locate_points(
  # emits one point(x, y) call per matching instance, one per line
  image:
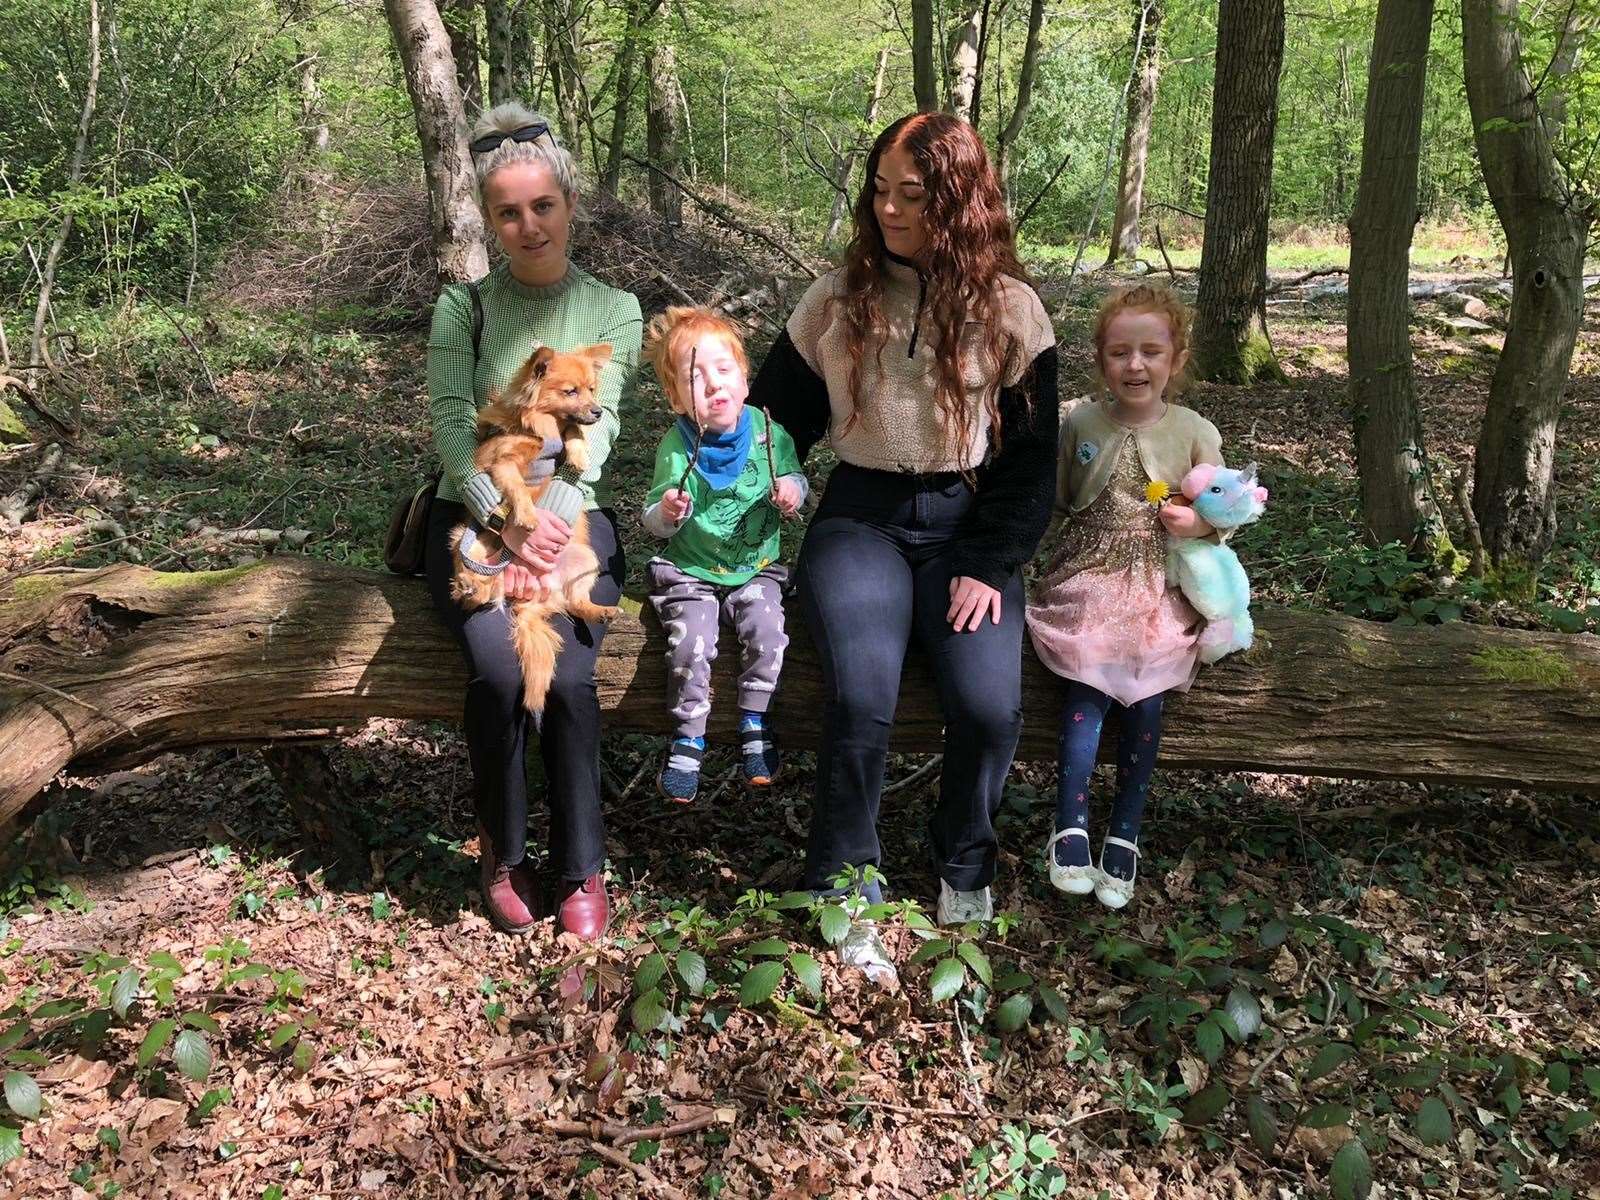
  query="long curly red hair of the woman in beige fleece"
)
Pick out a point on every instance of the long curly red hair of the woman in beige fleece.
point(969, 247)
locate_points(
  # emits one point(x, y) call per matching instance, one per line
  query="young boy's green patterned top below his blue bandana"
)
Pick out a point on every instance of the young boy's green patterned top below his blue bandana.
point(730, 534)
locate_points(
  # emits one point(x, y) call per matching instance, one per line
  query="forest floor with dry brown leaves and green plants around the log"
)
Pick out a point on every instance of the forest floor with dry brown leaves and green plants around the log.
point(1318, 983)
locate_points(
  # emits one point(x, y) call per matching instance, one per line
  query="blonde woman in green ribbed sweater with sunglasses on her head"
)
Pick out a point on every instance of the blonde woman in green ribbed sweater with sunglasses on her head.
point(535, 297)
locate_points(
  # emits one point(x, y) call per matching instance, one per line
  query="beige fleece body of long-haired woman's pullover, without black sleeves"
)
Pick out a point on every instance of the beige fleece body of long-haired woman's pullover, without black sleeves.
point(898, 426)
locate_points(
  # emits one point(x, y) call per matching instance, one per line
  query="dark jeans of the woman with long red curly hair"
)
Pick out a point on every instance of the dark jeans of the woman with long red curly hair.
point(874, 575)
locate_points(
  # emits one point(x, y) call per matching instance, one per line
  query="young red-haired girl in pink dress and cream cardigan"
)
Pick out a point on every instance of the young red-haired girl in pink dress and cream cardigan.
point(1103, 617)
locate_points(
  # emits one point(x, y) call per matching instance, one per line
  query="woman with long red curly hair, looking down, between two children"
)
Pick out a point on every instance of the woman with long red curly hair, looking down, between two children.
point(930, 364)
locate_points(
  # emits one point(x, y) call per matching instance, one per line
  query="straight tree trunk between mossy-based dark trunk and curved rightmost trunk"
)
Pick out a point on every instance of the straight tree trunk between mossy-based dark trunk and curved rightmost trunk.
point(1390, 449)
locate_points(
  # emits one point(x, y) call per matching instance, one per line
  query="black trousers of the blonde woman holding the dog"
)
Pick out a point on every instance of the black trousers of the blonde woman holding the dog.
point(497, 724)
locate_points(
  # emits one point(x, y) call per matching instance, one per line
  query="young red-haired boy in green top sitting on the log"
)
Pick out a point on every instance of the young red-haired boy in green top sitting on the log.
point(724, 478)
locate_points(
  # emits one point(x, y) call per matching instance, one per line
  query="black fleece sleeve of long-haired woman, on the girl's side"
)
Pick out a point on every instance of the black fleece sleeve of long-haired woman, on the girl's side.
point(1017, 489)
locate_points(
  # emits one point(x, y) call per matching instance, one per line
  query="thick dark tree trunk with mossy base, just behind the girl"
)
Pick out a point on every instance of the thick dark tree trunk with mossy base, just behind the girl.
point(1231, 340)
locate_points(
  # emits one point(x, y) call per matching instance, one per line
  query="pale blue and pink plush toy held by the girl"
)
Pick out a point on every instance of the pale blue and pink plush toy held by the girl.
point(1210, 575)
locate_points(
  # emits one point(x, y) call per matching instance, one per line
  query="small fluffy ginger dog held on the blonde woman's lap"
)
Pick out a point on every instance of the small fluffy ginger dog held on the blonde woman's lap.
point(553, 396)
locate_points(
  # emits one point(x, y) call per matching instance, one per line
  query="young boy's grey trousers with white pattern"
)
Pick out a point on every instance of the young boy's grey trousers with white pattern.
point(690, 612)
